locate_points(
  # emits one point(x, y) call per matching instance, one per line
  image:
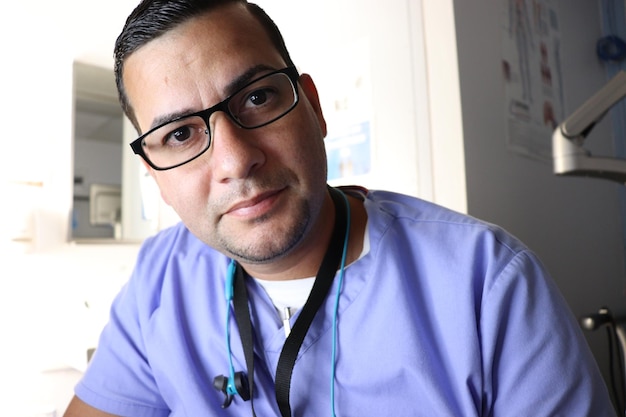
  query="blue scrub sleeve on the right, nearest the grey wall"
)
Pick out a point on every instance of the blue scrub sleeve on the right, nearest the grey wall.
point(537, 361)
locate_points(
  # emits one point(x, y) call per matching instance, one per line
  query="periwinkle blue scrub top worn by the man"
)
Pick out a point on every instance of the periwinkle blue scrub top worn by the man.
point(444, 316)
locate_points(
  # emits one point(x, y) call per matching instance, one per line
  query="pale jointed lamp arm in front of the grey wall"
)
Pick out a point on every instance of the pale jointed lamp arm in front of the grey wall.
point(569, 156)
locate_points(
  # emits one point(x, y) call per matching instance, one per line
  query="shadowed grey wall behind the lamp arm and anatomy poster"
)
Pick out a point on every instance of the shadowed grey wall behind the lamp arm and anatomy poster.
point(574, 224)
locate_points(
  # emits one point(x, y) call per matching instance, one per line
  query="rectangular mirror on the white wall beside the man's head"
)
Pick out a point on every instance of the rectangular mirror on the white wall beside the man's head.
point(97, 147)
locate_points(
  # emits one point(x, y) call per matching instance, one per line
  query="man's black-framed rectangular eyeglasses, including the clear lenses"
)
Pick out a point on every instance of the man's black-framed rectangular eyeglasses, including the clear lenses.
point(185, 138)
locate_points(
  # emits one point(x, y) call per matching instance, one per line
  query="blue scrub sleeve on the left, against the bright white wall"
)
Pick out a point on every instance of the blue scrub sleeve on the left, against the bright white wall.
point(119, 379)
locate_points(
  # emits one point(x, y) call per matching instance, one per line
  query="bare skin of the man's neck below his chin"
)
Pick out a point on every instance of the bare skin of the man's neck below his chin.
point(306, 259)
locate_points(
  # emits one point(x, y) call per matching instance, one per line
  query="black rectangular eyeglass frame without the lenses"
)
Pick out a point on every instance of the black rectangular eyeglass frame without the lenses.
point(291, 72)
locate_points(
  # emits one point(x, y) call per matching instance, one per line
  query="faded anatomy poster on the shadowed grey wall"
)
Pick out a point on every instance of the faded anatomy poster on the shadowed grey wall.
point(532, 75)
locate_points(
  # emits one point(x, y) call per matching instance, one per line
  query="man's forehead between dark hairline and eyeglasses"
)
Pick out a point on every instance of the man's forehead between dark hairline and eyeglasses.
point(189, 67)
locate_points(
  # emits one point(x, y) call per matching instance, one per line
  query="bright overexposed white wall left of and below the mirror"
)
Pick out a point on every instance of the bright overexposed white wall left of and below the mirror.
point(45, 326)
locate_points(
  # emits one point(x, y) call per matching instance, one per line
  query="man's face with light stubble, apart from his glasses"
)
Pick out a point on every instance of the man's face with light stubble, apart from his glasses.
point(255, 194)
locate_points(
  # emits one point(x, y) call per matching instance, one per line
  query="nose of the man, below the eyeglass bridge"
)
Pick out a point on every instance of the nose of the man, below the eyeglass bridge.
point(236, 152)
